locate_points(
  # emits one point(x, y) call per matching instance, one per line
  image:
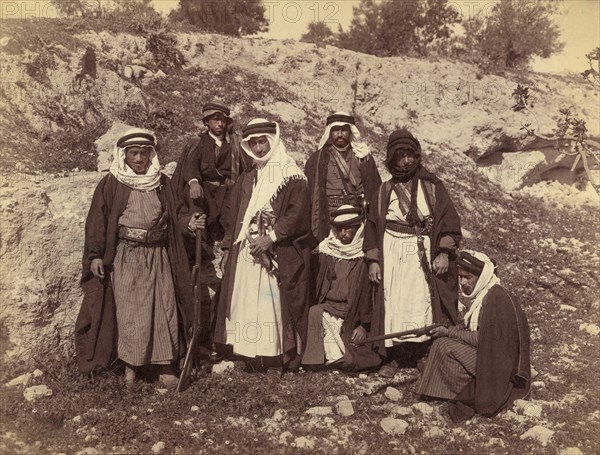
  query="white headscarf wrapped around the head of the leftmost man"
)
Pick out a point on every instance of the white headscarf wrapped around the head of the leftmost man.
point(124, 174)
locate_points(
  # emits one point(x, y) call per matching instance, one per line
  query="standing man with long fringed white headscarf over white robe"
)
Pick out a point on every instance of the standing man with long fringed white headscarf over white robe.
point(263, 308)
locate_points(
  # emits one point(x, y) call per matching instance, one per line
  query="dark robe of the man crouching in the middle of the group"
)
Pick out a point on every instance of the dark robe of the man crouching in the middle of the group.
point(347, 297)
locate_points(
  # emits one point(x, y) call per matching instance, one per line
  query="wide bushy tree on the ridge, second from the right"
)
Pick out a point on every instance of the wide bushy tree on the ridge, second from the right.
point(397, 27)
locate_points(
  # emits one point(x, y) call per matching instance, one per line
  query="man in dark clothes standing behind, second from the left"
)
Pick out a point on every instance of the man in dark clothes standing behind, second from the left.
point(206, 171)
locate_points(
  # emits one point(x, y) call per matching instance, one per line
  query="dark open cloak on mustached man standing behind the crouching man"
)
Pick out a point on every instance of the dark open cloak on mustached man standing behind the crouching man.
point(317, 179)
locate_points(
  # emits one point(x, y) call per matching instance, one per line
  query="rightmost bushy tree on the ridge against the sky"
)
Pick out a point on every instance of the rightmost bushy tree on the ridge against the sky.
point(514, 32)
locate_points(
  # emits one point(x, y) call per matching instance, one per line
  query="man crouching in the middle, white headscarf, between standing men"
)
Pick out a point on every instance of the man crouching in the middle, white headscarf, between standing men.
point(342, 314)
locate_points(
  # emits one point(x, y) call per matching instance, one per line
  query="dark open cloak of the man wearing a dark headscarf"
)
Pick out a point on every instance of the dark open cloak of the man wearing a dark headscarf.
point(446, 223)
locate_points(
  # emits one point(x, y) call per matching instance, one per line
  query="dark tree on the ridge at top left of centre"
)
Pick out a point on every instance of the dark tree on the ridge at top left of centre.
point(233, 17)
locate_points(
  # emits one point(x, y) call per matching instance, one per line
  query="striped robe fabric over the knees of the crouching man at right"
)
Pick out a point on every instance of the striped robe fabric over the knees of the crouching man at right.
point(450, 366)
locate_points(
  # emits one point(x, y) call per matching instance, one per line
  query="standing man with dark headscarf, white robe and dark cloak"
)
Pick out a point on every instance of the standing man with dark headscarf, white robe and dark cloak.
point(411, 236)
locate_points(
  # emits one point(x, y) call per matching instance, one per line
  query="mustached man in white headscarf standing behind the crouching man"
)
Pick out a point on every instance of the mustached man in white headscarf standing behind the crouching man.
point(342, 171)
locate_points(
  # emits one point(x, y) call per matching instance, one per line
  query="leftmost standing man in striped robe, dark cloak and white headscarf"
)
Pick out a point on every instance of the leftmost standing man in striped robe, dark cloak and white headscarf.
point(136, 289)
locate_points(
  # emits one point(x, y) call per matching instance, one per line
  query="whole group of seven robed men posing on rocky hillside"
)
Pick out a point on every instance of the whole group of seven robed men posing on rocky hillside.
point(325, 267)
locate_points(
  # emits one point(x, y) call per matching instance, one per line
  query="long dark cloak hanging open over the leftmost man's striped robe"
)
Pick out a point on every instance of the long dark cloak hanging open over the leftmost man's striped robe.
point(95, 327)
